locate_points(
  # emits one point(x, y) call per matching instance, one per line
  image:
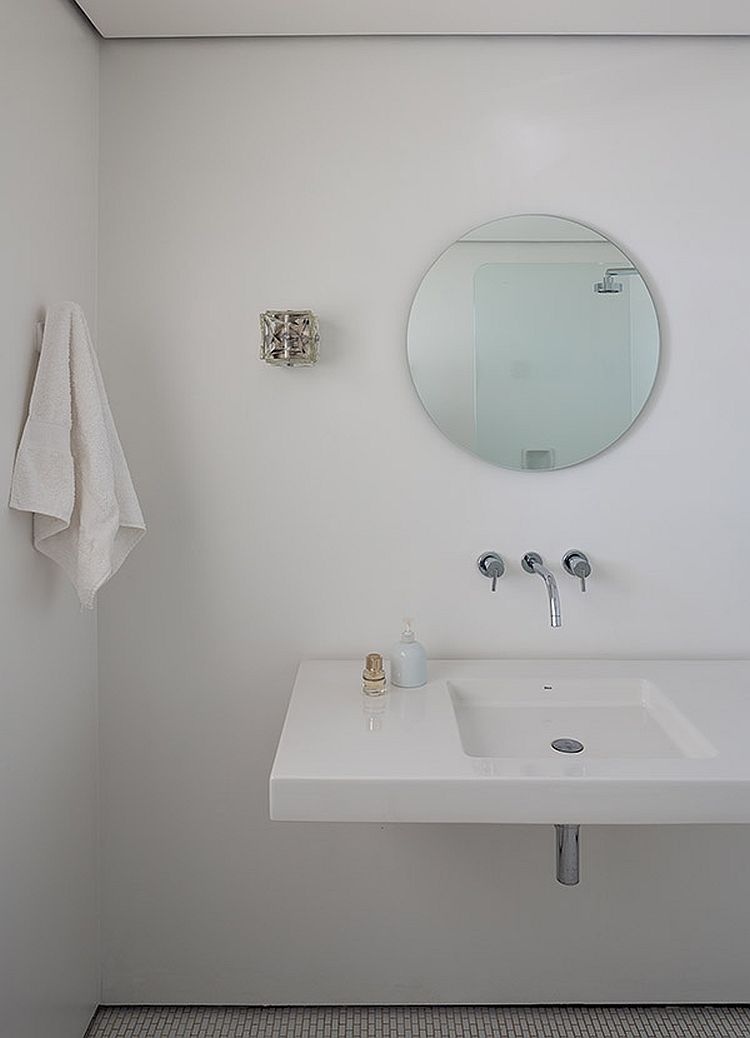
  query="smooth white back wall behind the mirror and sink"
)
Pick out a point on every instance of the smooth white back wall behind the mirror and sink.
point(303, 513)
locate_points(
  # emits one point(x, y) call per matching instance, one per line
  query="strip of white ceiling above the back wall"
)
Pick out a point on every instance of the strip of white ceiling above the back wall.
point(285, 18)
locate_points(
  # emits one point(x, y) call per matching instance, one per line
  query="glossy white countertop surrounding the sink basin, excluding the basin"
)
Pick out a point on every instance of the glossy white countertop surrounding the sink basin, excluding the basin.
point(399, 758)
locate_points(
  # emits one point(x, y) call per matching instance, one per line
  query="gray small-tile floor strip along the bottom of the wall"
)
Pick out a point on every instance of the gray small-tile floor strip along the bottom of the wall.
point(442, 1022)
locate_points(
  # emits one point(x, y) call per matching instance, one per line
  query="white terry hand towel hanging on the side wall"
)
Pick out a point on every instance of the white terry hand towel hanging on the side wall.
point(70, 469)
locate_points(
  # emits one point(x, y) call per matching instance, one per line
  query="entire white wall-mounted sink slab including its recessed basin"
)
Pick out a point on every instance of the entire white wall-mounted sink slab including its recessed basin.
point(663, 743)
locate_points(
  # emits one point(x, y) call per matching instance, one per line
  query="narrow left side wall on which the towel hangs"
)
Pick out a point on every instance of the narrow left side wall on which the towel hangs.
point(49, 954)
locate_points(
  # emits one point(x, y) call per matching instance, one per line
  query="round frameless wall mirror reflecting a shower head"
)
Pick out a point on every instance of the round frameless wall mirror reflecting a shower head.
point(534, 342)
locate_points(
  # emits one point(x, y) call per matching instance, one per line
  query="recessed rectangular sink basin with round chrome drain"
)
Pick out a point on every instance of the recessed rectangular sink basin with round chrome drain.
point(620, 719)
